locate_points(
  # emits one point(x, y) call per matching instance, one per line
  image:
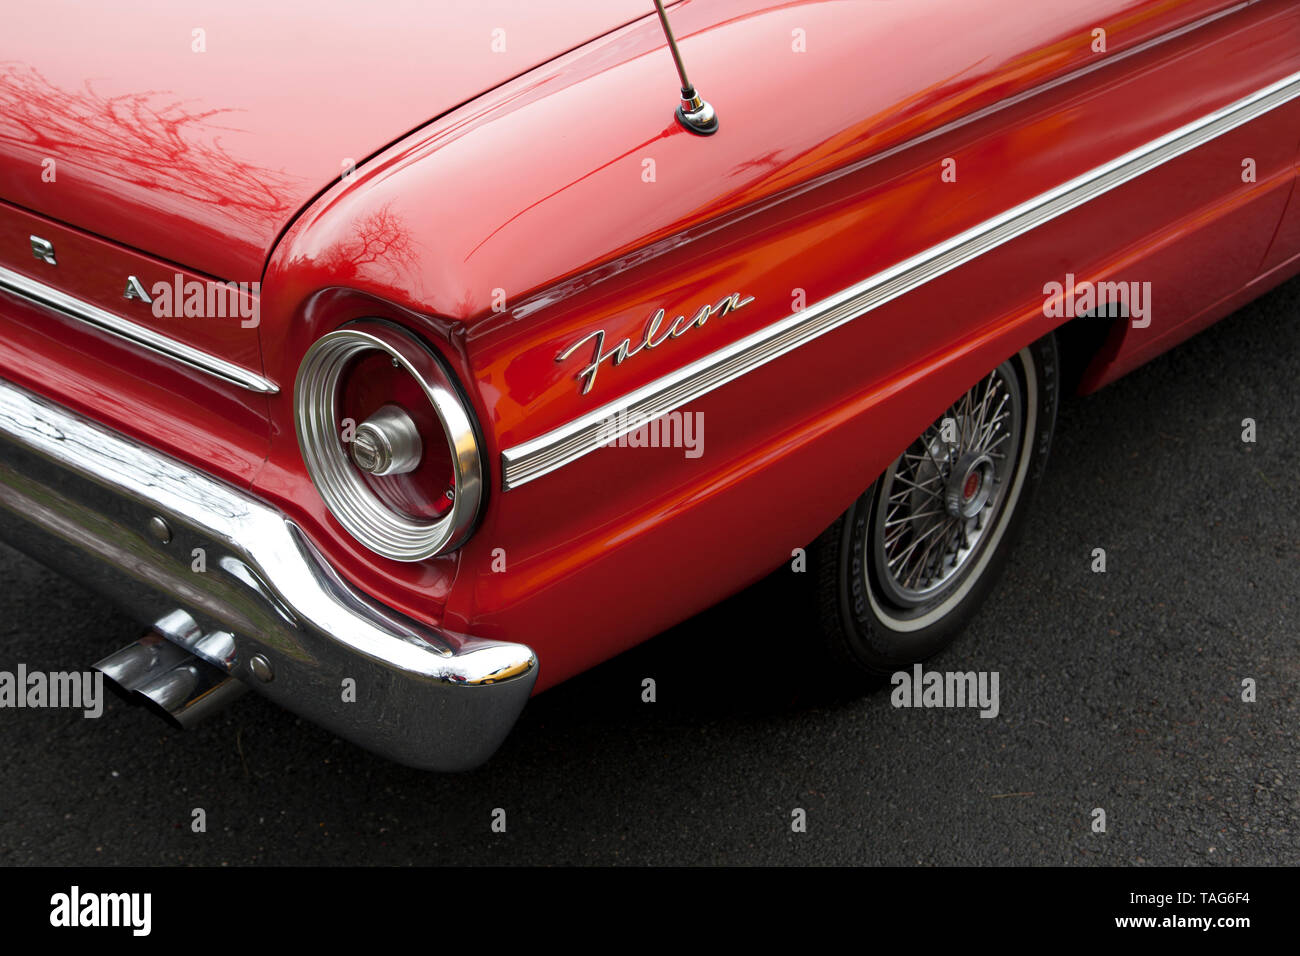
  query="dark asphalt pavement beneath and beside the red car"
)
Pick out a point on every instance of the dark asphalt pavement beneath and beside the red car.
point(1120, 691)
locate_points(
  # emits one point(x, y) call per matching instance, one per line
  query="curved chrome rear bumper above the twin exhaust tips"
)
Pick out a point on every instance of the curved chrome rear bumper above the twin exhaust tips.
point(128, 521)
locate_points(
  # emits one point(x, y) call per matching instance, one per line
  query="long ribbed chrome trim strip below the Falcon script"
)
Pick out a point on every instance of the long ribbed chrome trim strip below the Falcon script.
point(569, 443)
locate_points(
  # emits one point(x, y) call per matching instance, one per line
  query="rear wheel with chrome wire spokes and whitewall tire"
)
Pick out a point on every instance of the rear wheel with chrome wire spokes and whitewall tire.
point(907, 566)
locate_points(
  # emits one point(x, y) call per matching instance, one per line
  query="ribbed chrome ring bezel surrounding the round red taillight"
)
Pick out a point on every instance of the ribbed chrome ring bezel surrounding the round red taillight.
point(345, 492)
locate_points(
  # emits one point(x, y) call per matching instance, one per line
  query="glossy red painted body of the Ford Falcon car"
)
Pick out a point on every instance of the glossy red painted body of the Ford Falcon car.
point(502, 206)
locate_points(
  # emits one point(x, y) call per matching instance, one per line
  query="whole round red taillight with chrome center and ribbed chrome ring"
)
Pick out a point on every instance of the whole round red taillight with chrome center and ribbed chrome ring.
point(388, 442)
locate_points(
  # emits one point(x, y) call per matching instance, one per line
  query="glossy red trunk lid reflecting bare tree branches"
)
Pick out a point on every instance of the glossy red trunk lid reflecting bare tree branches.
point(197, 133)
